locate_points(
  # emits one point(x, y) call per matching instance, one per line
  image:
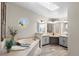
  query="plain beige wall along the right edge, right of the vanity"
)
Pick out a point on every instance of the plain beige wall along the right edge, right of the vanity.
point(73, 16)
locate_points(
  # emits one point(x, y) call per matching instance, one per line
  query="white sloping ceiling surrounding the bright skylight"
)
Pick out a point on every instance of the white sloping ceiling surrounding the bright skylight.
point(41, 10)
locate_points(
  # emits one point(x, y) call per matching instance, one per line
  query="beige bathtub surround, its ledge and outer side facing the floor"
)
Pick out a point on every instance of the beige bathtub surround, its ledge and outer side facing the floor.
point(32, 50)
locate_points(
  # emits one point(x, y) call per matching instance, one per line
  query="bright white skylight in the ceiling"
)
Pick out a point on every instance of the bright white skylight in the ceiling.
point(49, 6)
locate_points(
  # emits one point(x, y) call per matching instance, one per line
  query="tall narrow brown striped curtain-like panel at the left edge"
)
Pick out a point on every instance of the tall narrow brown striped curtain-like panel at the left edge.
point(3, 21)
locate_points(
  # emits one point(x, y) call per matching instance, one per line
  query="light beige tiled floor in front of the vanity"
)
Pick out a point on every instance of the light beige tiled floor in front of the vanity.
point(53, 50)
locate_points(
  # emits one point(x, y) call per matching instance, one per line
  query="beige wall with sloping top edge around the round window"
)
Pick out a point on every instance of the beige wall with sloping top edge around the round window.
point(15, 13)
